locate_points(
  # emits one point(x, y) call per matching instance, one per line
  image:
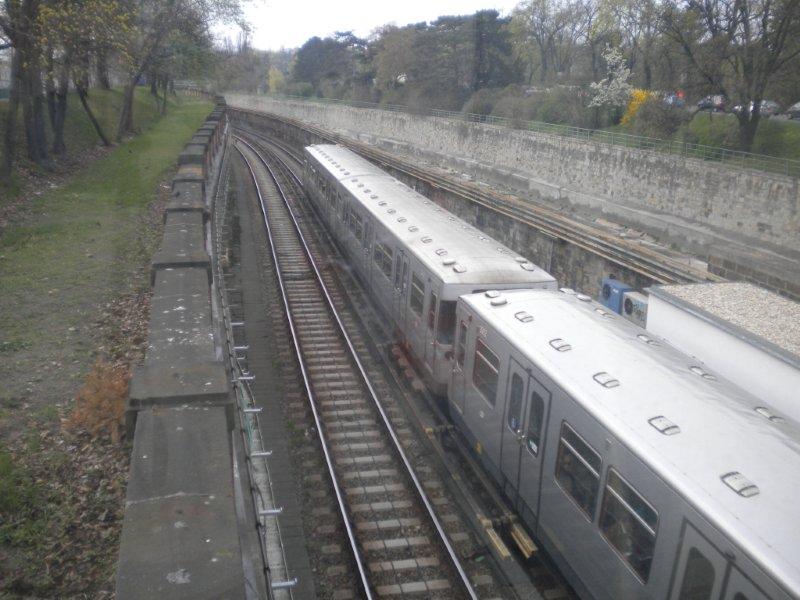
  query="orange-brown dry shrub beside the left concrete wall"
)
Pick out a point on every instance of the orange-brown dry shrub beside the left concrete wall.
point(100, 403)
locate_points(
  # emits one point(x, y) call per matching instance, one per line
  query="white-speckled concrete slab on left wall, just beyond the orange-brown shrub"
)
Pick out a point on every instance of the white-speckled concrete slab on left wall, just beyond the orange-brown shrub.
point(181, 329)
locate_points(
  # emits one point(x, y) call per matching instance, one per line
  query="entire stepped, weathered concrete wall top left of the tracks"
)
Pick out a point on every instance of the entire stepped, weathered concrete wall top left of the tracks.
point(180, 536)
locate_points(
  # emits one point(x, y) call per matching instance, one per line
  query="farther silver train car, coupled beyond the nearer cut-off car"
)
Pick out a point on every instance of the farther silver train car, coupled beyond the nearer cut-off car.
point(415, 257)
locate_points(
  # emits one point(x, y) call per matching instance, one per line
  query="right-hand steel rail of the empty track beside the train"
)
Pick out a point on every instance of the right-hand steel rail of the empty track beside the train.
point(466, 584)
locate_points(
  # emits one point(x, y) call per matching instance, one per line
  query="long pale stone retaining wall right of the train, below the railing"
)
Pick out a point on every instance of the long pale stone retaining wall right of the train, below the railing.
point(681, 196)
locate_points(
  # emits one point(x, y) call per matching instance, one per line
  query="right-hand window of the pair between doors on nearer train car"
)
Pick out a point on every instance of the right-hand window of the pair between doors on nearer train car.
point(629, 523)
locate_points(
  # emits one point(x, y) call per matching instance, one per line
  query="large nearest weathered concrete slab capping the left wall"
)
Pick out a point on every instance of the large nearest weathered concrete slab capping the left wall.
point(179, 537)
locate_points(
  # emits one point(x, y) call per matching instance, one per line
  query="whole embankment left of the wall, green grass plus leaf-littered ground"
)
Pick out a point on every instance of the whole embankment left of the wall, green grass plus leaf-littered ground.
point(79, 249)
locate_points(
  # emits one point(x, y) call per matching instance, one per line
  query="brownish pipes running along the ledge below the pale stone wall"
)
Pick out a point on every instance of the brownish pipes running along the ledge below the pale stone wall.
point(639, 260)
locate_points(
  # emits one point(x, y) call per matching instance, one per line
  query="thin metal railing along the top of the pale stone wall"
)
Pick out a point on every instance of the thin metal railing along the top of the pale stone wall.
point(729, 158)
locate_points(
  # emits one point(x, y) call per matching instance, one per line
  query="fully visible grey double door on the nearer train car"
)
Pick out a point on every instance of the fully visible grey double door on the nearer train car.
point(523, 433)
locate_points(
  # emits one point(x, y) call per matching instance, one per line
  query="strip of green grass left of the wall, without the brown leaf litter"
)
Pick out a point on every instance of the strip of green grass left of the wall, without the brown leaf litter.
point(80, 246)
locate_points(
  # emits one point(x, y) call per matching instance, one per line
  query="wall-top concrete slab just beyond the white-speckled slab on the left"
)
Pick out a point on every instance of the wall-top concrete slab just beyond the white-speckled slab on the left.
point(183, 244)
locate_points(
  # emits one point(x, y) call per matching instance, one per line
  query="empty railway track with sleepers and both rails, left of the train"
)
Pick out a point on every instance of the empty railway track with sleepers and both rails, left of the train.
point(397, 542)
